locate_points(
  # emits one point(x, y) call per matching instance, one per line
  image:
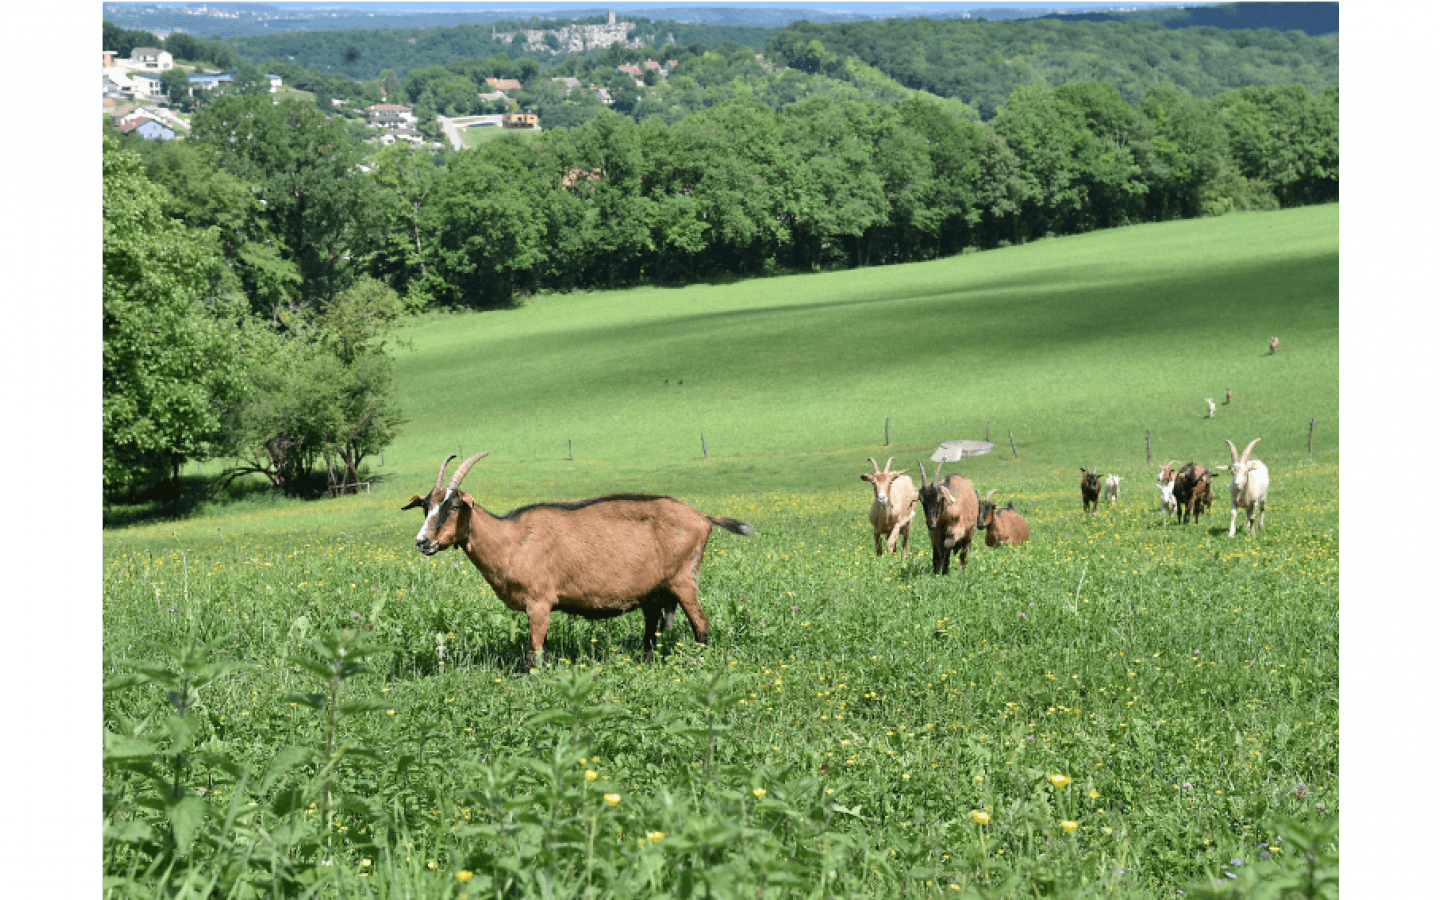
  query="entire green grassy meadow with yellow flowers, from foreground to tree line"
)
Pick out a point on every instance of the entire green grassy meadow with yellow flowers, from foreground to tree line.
point(1124, 706)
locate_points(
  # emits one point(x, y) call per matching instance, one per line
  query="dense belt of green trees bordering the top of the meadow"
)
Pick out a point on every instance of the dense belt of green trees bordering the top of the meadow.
point(253, 270)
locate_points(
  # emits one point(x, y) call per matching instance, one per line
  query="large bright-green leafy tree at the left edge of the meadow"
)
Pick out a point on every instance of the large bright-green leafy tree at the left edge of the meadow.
point(168, 349)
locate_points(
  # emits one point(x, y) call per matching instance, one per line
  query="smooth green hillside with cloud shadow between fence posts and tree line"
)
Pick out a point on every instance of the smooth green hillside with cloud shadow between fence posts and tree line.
point(1076, 345)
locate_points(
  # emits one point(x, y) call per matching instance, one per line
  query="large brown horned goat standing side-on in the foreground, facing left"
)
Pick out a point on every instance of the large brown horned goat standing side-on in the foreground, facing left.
point(594, 558)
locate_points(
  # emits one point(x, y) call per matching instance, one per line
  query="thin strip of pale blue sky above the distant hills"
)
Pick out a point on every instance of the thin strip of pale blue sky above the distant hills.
point(535, 8)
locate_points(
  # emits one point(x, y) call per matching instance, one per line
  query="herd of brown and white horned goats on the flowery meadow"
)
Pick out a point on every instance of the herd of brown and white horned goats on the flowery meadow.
point(610, 555)
